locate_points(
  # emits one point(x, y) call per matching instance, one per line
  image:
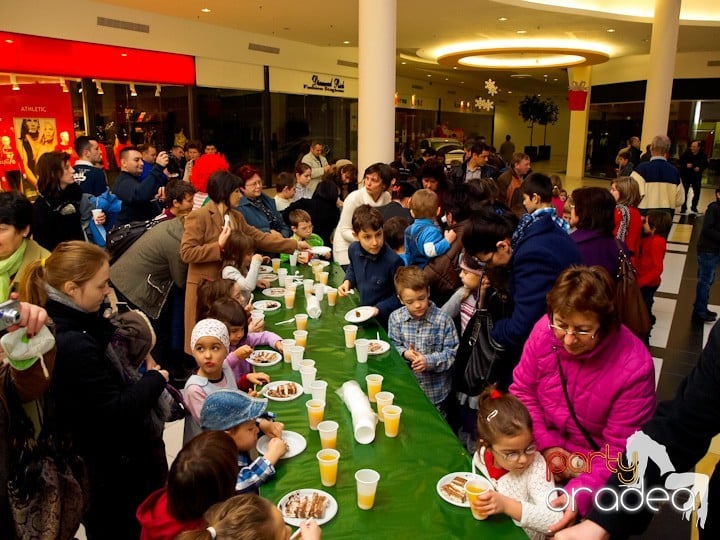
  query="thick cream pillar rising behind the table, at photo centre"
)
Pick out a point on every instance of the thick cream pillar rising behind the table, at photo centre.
point(376, 93)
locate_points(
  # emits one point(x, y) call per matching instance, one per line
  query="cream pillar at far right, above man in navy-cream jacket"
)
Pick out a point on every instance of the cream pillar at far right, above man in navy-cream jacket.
point(663, 49)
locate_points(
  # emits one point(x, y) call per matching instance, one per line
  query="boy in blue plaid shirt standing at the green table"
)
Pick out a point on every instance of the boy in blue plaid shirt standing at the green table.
point(424, 336)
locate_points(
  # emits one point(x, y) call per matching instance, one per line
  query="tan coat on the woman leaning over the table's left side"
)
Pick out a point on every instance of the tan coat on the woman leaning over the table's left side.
point(200, 249)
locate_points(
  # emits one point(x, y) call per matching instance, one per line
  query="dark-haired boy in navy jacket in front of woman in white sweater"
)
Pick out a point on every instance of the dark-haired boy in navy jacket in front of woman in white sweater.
point(372, 264)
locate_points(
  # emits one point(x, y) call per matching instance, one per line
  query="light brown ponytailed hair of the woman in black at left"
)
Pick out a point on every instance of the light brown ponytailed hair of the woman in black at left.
point(75, 261)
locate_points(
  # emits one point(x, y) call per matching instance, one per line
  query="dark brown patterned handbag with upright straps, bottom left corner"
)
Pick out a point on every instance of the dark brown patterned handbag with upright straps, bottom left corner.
point(48, 488)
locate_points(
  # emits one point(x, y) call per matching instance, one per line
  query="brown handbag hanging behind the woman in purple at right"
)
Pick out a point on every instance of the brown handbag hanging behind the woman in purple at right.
point(630, 305)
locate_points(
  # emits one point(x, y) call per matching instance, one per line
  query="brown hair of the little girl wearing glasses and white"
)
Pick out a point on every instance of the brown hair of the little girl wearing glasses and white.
point(500, 415)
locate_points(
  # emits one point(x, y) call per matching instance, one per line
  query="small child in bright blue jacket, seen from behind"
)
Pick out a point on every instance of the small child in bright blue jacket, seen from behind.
point(424, 240)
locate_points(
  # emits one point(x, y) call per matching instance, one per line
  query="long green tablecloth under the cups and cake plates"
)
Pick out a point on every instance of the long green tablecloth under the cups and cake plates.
point(407, 504)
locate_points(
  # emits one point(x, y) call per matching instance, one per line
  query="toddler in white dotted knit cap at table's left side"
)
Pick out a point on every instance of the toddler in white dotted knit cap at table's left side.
point(209, 344)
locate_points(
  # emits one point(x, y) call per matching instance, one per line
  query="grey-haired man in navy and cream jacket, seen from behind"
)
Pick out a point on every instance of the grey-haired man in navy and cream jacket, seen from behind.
point(663, 189)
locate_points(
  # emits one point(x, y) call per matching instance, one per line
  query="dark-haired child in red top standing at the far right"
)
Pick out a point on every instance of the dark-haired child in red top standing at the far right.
point(653, 245)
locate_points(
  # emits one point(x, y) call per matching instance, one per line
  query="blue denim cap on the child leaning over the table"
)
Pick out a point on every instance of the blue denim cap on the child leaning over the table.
point(226, 409)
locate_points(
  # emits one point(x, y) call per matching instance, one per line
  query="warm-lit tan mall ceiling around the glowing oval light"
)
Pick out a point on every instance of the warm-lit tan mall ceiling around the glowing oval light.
point(423, 24)
